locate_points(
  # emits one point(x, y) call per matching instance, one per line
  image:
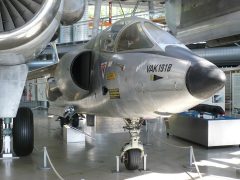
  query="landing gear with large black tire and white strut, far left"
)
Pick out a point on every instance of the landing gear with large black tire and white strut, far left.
point(22, 133)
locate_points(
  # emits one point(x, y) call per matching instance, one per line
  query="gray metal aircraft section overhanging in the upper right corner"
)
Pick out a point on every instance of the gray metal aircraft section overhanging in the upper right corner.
point(214, 21)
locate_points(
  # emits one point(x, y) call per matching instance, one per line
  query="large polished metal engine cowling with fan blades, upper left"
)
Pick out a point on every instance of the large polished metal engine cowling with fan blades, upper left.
point(26, 27)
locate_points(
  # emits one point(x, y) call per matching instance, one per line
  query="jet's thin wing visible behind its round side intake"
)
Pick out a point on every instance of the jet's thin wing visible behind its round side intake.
point(41, 72)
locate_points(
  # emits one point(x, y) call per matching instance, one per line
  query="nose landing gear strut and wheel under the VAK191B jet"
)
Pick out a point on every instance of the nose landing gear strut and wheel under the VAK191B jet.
point(133, 152)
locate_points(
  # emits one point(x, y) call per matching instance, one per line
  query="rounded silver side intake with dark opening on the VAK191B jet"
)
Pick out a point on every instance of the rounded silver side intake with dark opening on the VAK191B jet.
point(72, 77)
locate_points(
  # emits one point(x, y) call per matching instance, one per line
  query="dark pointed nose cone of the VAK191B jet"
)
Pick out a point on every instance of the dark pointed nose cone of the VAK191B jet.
point(203, 80)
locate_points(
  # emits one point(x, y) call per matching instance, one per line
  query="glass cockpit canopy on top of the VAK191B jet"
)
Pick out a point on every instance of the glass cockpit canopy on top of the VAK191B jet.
point(135, 33)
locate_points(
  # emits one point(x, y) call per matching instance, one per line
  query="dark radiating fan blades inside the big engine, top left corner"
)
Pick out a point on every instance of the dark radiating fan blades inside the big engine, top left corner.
point(16, 13)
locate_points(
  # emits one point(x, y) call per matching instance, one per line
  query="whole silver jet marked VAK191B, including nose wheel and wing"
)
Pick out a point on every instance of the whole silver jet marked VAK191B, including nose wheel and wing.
point(133, 70)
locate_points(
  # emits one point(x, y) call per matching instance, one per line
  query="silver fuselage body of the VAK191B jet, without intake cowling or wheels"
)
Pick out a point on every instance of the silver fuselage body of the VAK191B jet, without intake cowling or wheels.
point(145, 82)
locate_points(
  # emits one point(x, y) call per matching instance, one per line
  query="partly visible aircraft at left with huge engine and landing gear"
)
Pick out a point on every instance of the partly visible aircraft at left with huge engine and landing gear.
point(26, 27)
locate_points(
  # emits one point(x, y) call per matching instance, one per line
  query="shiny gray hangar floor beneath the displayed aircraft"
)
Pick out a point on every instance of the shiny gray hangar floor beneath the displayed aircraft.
point(96, 159)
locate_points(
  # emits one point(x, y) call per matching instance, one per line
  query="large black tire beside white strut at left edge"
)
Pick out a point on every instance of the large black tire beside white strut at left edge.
point(23, 132)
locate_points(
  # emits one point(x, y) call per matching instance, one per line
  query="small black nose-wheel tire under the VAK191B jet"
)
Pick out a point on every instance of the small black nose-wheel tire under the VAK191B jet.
point(132, 159)
